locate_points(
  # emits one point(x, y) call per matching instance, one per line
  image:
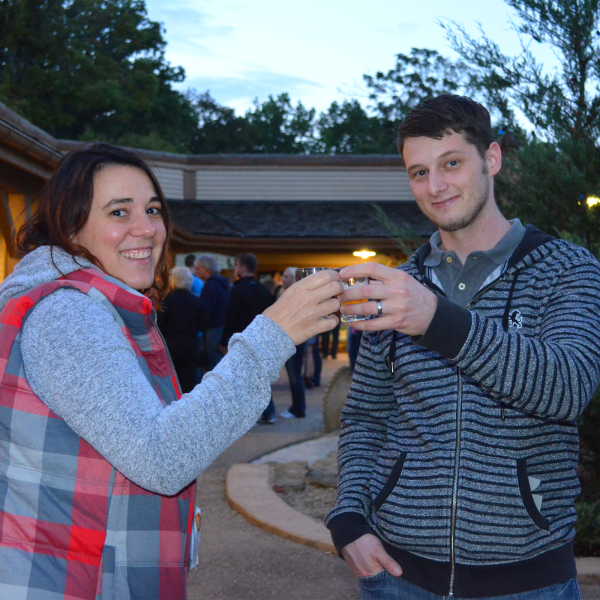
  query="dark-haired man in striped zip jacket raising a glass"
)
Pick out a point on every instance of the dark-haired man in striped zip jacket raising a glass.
point(459, 442)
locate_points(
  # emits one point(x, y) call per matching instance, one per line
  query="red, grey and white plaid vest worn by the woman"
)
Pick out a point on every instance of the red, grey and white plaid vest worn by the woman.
point(71, 525)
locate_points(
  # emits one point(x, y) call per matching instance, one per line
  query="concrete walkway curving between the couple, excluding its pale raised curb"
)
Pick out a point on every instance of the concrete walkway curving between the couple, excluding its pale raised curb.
point(239, 561)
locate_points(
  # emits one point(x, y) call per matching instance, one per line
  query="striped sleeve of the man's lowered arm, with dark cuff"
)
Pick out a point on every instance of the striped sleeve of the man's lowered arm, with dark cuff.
point(365, 419)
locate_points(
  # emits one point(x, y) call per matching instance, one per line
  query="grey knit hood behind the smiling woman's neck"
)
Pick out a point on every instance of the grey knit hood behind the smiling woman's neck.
point(44, 264)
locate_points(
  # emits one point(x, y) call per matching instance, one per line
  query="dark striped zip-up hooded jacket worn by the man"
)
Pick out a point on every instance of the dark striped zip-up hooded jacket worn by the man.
point(459, 450)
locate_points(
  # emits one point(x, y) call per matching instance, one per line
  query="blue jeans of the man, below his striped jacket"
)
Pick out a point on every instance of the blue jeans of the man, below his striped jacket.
point(385, 587)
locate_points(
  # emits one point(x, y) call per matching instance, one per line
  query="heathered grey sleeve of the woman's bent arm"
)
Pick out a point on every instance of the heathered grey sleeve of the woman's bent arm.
point(88, 374)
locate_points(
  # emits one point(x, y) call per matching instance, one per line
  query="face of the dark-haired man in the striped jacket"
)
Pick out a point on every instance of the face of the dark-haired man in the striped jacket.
point(451, 182)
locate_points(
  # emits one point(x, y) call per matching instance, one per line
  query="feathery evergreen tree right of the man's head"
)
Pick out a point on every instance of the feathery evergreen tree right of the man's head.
point(556, 169)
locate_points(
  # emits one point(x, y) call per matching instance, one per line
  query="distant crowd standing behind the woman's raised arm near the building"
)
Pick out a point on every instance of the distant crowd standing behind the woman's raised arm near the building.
point(204, 309)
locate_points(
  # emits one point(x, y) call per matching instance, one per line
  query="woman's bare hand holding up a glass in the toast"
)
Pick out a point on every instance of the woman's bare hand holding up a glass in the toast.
point(302, 307)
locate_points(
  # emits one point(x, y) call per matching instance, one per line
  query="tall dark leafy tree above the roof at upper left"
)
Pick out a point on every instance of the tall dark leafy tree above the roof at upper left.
point(92, 69)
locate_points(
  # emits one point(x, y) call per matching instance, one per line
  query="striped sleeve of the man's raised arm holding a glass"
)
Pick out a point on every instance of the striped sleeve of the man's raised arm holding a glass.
point(552, 376)
